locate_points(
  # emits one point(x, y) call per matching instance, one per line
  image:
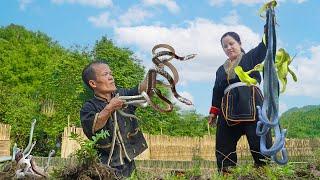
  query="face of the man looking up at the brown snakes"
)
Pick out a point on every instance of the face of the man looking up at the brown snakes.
point(104, 82)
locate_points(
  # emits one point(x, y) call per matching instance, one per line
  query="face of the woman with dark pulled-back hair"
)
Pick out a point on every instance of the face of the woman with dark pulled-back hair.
point(231, 47)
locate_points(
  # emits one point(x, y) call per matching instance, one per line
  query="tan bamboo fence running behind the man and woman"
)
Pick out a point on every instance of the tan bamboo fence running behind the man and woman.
point(166, 152)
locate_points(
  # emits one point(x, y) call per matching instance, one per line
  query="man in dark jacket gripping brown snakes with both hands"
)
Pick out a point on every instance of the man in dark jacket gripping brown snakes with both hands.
point(97, 114)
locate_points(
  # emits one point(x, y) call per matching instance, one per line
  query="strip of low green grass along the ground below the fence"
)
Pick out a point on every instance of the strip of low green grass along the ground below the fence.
point(297, 168)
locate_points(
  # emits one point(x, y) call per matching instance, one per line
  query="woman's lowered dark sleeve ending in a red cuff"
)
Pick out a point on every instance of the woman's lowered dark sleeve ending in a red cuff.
point(217, 94)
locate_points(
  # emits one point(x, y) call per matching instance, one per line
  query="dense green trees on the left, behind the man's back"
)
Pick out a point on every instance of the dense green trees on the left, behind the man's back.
point(39, 79)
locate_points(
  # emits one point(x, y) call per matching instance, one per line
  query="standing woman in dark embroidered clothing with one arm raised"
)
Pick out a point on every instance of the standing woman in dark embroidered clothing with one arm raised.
point(234, 103)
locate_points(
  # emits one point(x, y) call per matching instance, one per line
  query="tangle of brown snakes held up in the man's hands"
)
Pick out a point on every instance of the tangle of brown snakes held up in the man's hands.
point(160, 60)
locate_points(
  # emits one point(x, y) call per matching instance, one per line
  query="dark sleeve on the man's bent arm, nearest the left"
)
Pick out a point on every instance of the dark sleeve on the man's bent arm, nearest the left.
point(88, 117)
